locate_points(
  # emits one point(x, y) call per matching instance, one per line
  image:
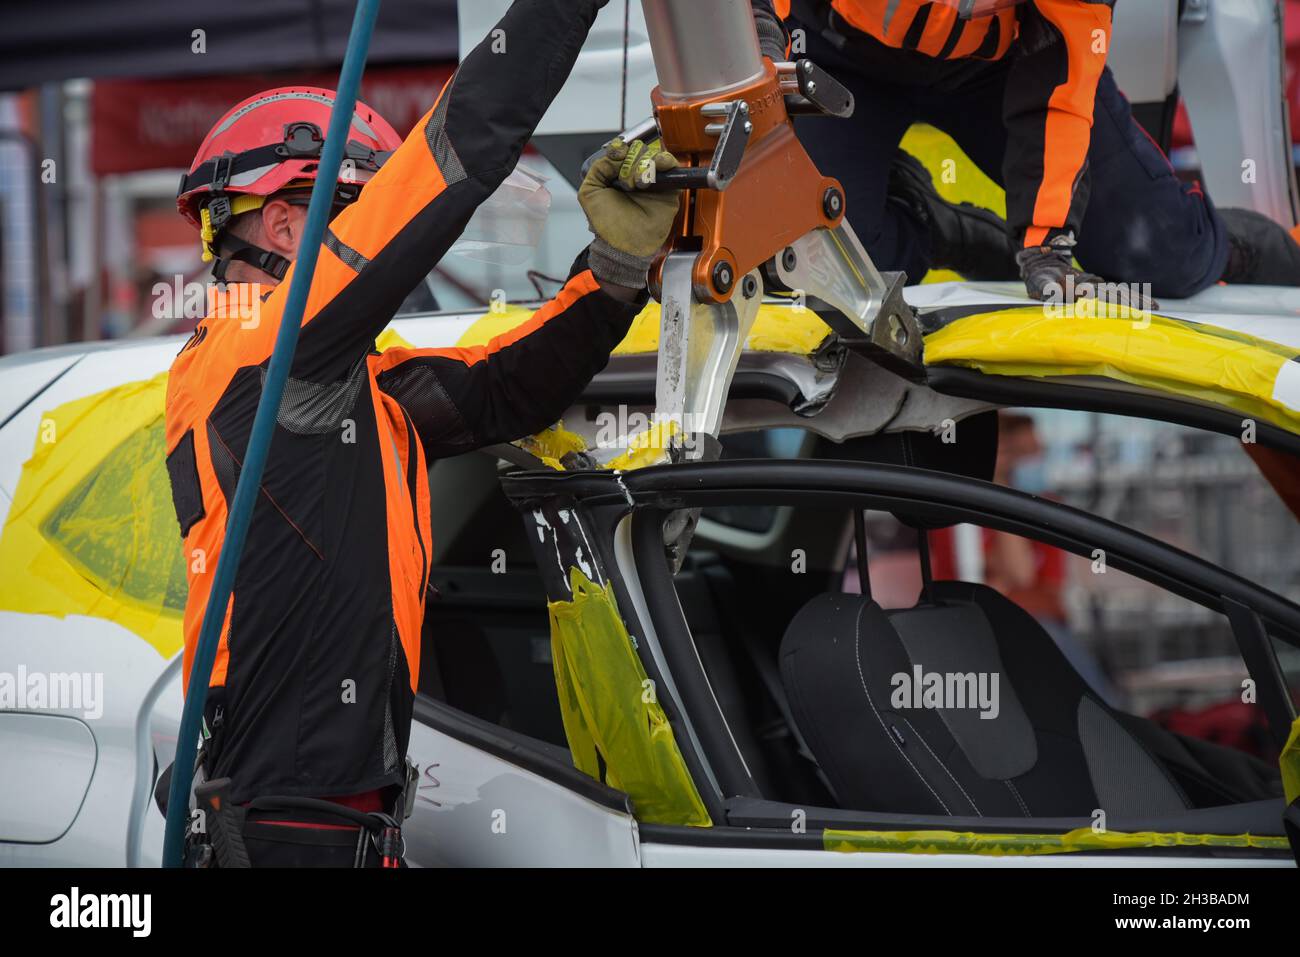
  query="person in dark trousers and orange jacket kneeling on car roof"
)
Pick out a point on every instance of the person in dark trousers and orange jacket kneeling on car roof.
point(1024, 89)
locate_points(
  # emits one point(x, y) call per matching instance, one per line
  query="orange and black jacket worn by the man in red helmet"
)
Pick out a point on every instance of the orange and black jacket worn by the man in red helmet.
point(315, 675)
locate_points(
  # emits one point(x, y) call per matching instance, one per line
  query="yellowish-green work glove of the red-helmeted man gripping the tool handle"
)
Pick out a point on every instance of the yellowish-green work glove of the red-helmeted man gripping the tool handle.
point(631, 222)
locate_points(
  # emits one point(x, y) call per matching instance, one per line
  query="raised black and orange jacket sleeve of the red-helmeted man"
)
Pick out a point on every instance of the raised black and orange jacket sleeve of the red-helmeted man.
point(418, 205)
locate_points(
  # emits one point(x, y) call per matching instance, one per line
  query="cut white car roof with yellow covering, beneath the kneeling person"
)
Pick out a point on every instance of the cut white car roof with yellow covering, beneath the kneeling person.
point(791, 358)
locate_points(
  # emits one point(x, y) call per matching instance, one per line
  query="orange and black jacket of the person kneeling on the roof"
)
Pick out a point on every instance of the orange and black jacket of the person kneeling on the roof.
point(1060, 50)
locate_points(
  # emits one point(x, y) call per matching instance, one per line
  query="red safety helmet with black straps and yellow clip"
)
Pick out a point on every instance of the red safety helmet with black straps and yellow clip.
point(268, 144)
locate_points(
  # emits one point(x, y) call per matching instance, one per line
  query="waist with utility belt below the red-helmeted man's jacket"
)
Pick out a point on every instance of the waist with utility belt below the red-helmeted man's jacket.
point(287, 832)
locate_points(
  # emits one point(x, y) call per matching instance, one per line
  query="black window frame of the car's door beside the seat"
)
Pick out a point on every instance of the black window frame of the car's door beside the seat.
point(622, 517)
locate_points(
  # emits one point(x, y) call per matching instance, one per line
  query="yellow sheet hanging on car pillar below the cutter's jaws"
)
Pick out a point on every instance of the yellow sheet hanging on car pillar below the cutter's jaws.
point(612, 713)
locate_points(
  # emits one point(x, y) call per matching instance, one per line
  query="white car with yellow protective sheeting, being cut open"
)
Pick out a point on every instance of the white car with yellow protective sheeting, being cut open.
point(694, 716)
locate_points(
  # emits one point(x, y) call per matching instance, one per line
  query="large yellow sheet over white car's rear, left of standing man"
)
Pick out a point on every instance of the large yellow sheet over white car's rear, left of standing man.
point(93, 530)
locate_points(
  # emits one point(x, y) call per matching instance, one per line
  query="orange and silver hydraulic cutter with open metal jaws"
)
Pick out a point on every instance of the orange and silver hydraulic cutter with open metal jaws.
point(756, 214)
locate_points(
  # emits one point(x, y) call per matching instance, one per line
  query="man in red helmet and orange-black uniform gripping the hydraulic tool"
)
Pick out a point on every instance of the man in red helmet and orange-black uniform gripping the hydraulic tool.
point(311, 694)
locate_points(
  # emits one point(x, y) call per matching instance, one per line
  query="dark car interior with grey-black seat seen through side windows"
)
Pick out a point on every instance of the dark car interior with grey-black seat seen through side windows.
point(804, 670)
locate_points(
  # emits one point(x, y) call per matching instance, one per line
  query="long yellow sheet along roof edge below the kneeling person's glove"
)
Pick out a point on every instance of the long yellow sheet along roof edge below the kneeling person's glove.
point(1191, 360)
